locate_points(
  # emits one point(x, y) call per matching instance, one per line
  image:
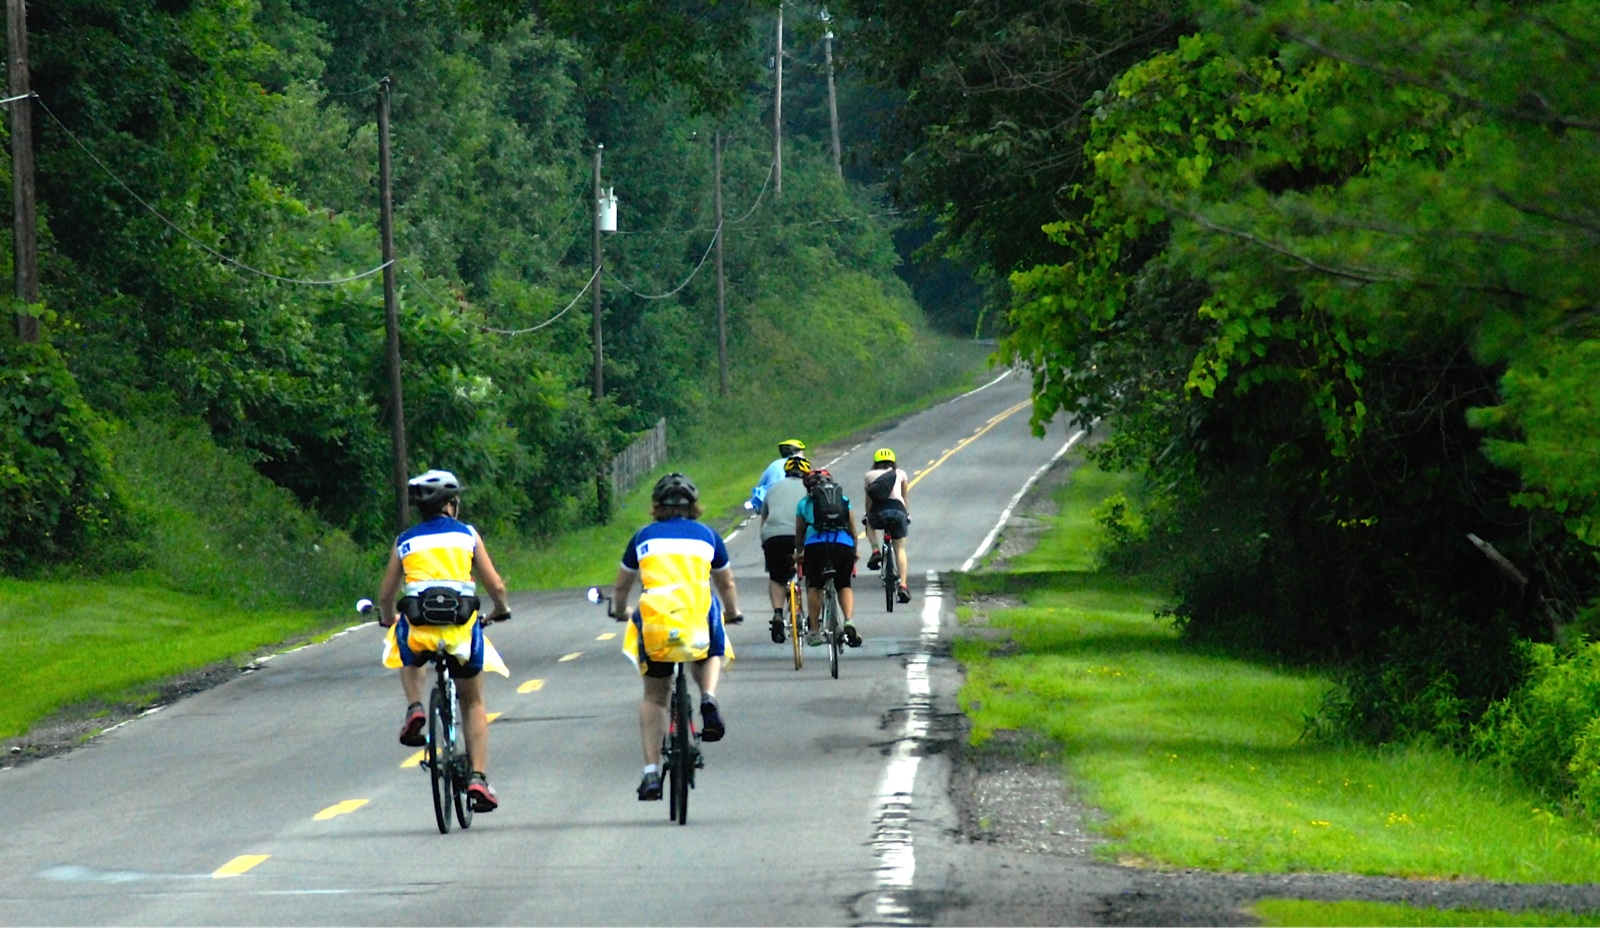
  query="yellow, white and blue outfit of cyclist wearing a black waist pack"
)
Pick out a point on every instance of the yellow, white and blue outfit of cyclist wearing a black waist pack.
point(439, 554)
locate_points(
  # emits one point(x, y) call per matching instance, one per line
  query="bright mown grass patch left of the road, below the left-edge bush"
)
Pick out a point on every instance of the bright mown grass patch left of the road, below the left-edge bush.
point(98, 642)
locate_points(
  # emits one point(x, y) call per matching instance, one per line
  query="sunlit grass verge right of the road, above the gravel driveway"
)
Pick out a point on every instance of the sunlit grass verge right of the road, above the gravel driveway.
point(1196, 758)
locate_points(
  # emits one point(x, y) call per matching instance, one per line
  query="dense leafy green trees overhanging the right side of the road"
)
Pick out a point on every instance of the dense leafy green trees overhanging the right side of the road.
point(1297, 279)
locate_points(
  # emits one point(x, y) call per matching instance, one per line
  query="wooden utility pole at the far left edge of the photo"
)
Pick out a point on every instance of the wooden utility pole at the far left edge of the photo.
point(25, 230)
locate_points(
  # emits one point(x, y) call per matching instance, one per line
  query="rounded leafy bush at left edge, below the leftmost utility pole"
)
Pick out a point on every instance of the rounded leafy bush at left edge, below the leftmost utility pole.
point(57, 503)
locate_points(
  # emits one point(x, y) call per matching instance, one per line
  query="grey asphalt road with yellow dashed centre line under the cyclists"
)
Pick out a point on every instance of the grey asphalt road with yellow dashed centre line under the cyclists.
point(284, 799)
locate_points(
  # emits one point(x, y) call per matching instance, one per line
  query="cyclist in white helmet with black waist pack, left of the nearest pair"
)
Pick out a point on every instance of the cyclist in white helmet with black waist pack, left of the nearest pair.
point(442, 554)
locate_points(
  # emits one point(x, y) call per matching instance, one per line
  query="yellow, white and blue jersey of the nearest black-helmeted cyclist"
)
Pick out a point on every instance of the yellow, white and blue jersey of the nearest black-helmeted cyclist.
point(678, 618)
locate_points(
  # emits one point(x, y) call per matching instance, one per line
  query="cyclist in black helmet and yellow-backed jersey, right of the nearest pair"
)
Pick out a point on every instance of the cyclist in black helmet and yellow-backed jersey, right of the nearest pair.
point(679, 564)
